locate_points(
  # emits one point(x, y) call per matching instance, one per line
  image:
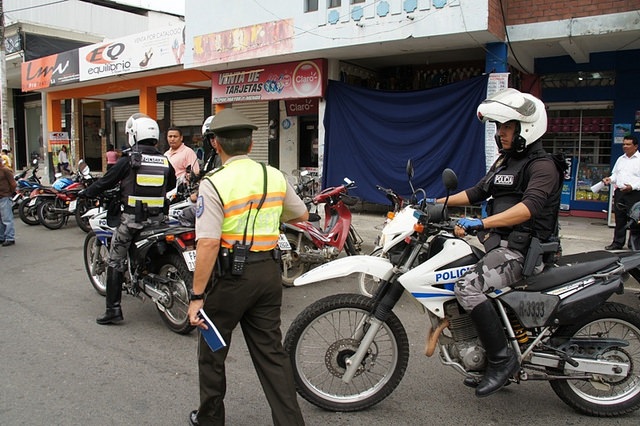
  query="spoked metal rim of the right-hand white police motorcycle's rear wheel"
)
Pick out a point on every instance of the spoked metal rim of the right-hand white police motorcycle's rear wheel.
point(620, 389)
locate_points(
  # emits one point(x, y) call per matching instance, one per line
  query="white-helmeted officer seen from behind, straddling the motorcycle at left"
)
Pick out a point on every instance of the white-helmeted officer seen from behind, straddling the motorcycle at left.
point(144, 177)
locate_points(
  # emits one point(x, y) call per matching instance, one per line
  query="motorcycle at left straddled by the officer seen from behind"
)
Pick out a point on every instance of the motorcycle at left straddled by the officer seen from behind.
point(160, 264)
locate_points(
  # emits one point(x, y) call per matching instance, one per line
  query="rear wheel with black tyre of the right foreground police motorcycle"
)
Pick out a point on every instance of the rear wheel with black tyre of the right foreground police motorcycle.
point(606, 396)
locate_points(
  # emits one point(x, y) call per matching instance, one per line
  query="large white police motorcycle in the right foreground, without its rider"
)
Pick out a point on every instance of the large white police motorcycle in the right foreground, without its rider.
point(349, 351)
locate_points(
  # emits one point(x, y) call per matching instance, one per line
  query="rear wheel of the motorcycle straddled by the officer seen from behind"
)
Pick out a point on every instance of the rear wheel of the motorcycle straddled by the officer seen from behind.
point(173, 310)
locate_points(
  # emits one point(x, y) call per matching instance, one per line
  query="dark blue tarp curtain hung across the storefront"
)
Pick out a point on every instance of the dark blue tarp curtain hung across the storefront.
point(370, 135)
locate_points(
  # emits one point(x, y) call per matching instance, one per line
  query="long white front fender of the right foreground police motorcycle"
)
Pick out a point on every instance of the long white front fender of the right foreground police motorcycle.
point(377, 266)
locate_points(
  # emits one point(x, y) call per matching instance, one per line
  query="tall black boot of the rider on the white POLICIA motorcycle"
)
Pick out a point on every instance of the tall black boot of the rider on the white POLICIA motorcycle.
point(502, 362)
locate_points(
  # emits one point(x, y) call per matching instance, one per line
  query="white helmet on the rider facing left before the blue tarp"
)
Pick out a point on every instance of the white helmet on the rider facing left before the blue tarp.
point(510, 105)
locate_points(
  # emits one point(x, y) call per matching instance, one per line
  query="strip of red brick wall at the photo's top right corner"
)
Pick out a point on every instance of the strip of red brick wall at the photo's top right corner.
point(530, 11)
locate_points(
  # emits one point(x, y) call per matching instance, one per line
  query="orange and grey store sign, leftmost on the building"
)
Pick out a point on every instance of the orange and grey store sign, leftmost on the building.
point(53, 70)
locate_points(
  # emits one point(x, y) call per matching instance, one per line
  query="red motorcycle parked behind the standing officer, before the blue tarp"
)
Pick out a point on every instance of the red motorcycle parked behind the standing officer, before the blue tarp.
point(304, 244)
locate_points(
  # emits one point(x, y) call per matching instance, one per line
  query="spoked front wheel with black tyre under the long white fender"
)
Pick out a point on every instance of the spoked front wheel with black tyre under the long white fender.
point(321, 340)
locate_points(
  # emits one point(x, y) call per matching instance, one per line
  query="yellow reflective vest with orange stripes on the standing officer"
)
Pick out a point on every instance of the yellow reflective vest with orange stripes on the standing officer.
point(240, 185)
